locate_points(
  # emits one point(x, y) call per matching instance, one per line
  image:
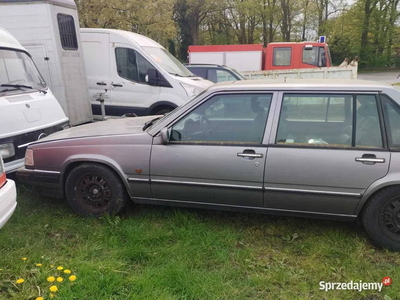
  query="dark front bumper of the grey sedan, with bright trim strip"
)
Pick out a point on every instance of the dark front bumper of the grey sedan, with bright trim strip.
point(49, 181)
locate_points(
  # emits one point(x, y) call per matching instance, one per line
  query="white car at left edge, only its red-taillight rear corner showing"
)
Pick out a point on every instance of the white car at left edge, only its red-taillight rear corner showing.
point(8, 196)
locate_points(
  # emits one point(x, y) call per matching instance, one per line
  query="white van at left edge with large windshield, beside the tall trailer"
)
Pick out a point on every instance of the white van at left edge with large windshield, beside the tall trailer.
point(28, 109)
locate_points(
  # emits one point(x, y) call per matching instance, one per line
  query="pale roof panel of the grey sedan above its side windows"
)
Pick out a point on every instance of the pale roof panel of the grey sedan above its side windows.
point(302, 84)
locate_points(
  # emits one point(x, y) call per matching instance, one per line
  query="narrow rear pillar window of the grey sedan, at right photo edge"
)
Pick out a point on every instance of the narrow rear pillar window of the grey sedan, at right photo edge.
point(391, 111)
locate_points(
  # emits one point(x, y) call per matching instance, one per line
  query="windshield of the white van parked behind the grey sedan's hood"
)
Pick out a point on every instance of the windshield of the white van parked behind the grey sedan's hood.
point(168, 62)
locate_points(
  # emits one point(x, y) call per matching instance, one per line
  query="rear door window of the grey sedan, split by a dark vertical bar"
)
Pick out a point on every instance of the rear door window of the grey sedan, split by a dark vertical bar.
point(328, 120)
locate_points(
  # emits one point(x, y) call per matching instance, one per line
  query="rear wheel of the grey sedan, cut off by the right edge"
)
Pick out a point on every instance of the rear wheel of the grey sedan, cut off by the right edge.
point(381, 218)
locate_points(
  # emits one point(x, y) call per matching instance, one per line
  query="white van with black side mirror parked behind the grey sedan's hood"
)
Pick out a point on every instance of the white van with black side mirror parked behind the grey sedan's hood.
point(140, 75)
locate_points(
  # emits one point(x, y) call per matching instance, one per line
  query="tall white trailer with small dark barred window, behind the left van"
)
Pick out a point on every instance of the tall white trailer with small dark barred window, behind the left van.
point(49, 30)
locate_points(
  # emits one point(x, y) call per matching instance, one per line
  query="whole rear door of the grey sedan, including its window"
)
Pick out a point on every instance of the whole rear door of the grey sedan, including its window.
point(328, 149)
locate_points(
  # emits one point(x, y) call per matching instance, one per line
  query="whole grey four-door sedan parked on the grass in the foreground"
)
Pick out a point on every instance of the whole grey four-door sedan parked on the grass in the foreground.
point(325, 149)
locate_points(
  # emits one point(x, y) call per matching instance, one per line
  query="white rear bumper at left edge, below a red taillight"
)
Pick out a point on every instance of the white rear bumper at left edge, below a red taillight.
point(8, 201)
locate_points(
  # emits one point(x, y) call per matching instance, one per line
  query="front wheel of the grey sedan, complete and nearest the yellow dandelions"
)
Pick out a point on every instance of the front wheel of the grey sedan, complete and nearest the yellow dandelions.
point(94, 190)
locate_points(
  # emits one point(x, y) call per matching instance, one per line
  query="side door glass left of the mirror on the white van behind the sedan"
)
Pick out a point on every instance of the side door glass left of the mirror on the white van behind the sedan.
point(126, 64)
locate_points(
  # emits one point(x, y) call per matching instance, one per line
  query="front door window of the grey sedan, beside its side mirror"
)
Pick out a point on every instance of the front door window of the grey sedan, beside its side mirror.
point(225, 119)
